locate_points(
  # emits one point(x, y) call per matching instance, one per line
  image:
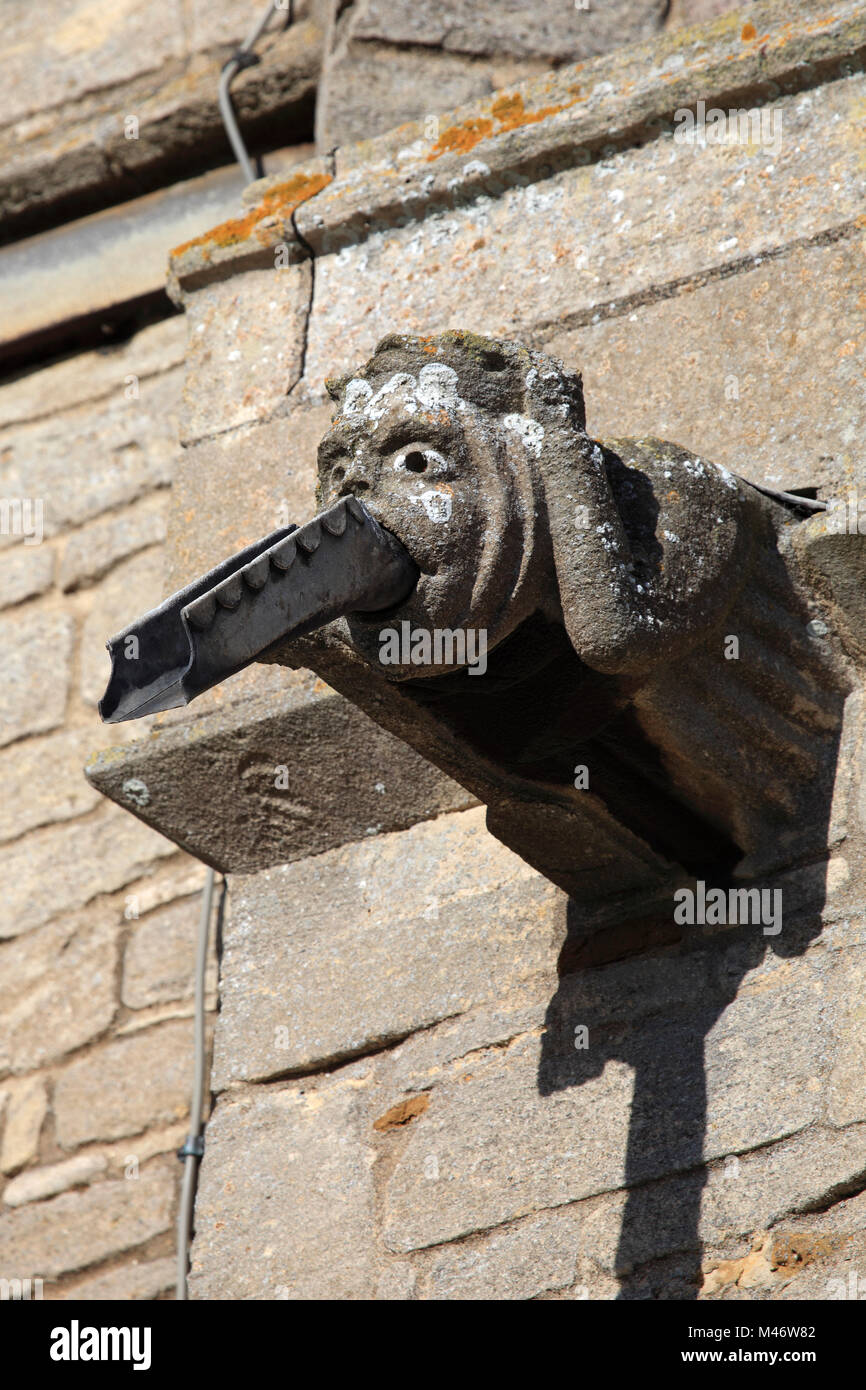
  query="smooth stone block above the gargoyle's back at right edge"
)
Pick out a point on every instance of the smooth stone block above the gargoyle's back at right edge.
point(753, 398)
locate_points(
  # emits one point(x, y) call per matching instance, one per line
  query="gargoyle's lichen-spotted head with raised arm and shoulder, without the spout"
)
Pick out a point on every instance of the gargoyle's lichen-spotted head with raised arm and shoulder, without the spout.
point(473, 454)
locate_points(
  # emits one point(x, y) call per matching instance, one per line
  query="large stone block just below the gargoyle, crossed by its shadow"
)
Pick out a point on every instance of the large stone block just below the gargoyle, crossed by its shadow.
point(568, 1117)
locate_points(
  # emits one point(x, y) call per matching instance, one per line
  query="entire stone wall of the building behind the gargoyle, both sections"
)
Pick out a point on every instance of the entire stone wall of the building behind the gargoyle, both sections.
point(400, 1109)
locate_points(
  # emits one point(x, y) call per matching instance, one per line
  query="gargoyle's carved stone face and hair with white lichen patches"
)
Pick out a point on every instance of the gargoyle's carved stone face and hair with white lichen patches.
point(437, 439)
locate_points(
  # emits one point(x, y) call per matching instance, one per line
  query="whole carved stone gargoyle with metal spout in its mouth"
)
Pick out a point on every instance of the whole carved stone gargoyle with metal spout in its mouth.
point(616, 646)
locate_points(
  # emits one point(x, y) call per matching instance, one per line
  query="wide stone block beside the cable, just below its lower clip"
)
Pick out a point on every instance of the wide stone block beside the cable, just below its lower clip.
point(79, 1229)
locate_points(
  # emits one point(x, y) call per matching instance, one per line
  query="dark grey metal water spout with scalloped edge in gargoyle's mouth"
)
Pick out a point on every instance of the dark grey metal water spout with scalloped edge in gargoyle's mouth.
point(284, 586)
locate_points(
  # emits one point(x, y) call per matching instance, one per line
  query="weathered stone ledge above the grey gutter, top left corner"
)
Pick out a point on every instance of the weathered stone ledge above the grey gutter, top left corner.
point(79, 154)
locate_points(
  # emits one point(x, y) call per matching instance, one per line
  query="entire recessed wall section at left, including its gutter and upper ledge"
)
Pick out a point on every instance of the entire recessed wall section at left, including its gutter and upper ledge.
point(99, 914)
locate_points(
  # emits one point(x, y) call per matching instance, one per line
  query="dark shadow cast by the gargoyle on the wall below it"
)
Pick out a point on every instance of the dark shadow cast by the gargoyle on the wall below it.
point(665, 1047)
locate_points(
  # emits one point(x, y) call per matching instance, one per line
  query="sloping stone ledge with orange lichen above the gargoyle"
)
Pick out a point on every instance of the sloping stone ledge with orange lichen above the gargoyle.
point(562, 120)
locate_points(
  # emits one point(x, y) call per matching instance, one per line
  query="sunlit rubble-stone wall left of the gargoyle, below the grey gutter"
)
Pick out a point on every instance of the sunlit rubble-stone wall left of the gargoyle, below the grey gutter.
point(99, 914)
